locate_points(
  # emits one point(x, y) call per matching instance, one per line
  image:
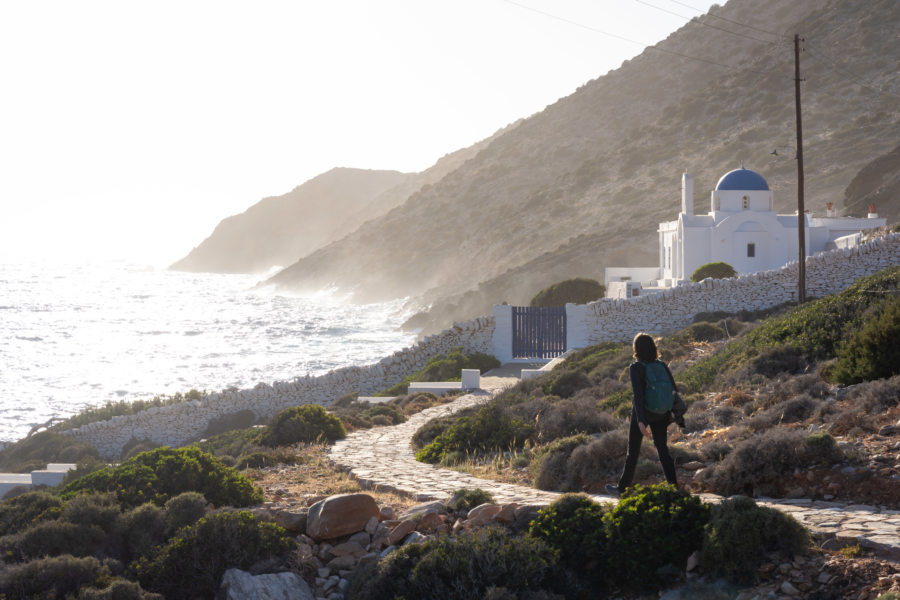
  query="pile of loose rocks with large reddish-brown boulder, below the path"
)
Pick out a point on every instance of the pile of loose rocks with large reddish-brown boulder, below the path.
point(338, 534)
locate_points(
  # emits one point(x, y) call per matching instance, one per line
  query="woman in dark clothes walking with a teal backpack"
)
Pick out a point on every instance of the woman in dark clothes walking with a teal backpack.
point(653, 394)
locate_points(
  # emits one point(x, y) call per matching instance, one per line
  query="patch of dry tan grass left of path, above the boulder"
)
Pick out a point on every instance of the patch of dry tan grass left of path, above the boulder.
point(313, 477)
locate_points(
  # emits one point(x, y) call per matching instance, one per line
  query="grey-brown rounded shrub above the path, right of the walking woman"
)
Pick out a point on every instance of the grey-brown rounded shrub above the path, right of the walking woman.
point(759, 465)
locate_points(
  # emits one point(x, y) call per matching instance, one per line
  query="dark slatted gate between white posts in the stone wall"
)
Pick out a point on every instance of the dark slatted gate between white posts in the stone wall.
point(538, 332)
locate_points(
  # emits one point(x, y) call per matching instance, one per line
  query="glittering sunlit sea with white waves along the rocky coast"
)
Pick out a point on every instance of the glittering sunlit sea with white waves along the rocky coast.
point(74, 336)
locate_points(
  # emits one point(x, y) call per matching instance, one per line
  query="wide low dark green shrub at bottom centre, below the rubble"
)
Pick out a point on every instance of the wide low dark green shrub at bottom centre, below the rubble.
point(460, 568)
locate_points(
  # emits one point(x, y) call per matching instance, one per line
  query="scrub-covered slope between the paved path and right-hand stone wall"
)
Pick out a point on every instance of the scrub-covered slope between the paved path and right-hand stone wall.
point(769, 408)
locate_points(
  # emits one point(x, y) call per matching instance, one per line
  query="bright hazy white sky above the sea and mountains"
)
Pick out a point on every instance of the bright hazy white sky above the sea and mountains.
point(128, 129)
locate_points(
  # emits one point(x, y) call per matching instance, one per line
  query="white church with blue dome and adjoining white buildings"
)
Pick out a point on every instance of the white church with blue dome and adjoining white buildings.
point(741, 229)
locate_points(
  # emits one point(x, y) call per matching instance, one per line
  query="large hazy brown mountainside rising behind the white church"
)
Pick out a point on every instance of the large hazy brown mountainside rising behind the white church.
point(583, 184)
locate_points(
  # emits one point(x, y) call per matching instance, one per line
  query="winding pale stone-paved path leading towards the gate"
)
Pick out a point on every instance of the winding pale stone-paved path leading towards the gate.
point(382, 458)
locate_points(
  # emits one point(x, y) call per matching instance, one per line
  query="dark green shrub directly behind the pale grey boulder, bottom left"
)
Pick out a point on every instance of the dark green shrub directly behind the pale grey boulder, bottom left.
point(192, 564)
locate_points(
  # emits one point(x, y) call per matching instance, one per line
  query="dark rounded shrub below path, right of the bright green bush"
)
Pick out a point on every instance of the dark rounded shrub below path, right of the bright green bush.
point(740, 535)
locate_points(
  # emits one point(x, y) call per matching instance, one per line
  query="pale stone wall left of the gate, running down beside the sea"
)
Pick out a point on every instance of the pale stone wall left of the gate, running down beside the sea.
point(177, 424)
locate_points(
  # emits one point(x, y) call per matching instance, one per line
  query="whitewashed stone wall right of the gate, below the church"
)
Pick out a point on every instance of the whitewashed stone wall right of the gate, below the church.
point(826, 273)
